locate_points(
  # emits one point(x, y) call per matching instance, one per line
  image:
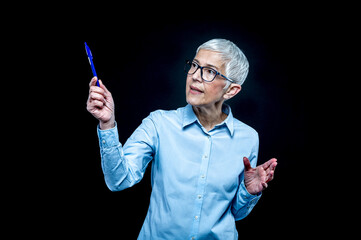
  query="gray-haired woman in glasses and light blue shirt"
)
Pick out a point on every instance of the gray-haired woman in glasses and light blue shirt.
point(204, 175)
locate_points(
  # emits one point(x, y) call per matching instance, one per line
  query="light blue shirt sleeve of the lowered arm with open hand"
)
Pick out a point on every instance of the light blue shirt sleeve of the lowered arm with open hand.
point(244, 202)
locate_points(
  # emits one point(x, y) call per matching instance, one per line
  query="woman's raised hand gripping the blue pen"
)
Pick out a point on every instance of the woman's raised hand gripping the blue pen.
point(100, 104)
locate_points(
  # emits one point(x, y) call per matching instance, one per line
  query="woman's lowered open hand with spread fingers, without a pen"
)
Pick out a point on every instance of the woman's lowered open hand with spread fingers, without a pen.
point(256, 179)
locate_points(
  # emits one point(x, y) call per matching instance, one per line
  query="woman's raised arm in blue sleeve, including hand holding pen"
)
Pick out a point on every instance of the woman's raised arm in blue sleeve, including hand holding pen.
point(123, 166)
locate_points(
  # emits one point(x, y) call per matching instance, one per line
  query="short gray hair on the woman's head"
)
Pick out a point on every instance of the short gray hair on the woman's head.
point(236, 62)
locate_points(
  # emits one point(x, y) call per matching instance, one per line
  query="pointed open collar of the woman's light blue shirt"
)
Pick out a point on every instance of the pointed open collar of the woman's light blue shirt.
point(190, 117)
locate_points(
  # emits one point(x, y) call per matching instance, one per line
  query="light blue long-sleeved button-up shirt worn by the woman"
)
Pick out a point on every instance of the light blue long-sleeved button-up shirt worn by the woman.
point(197, 176)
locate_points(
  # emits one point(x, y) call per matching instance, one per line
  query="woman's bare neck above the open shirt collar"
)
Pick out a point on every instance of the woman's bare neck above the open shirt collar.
point(210, 116)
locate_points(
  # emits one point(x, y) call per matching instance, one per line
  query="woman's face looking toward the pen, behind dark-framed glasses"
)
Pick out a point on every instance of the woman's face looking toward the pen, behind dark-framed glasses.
point(200, 93)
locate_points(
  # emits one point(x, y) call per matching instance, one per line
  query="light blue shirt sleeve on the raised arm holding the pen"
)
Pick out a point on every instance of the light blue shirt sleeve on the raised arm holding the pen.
point(124, 166)
